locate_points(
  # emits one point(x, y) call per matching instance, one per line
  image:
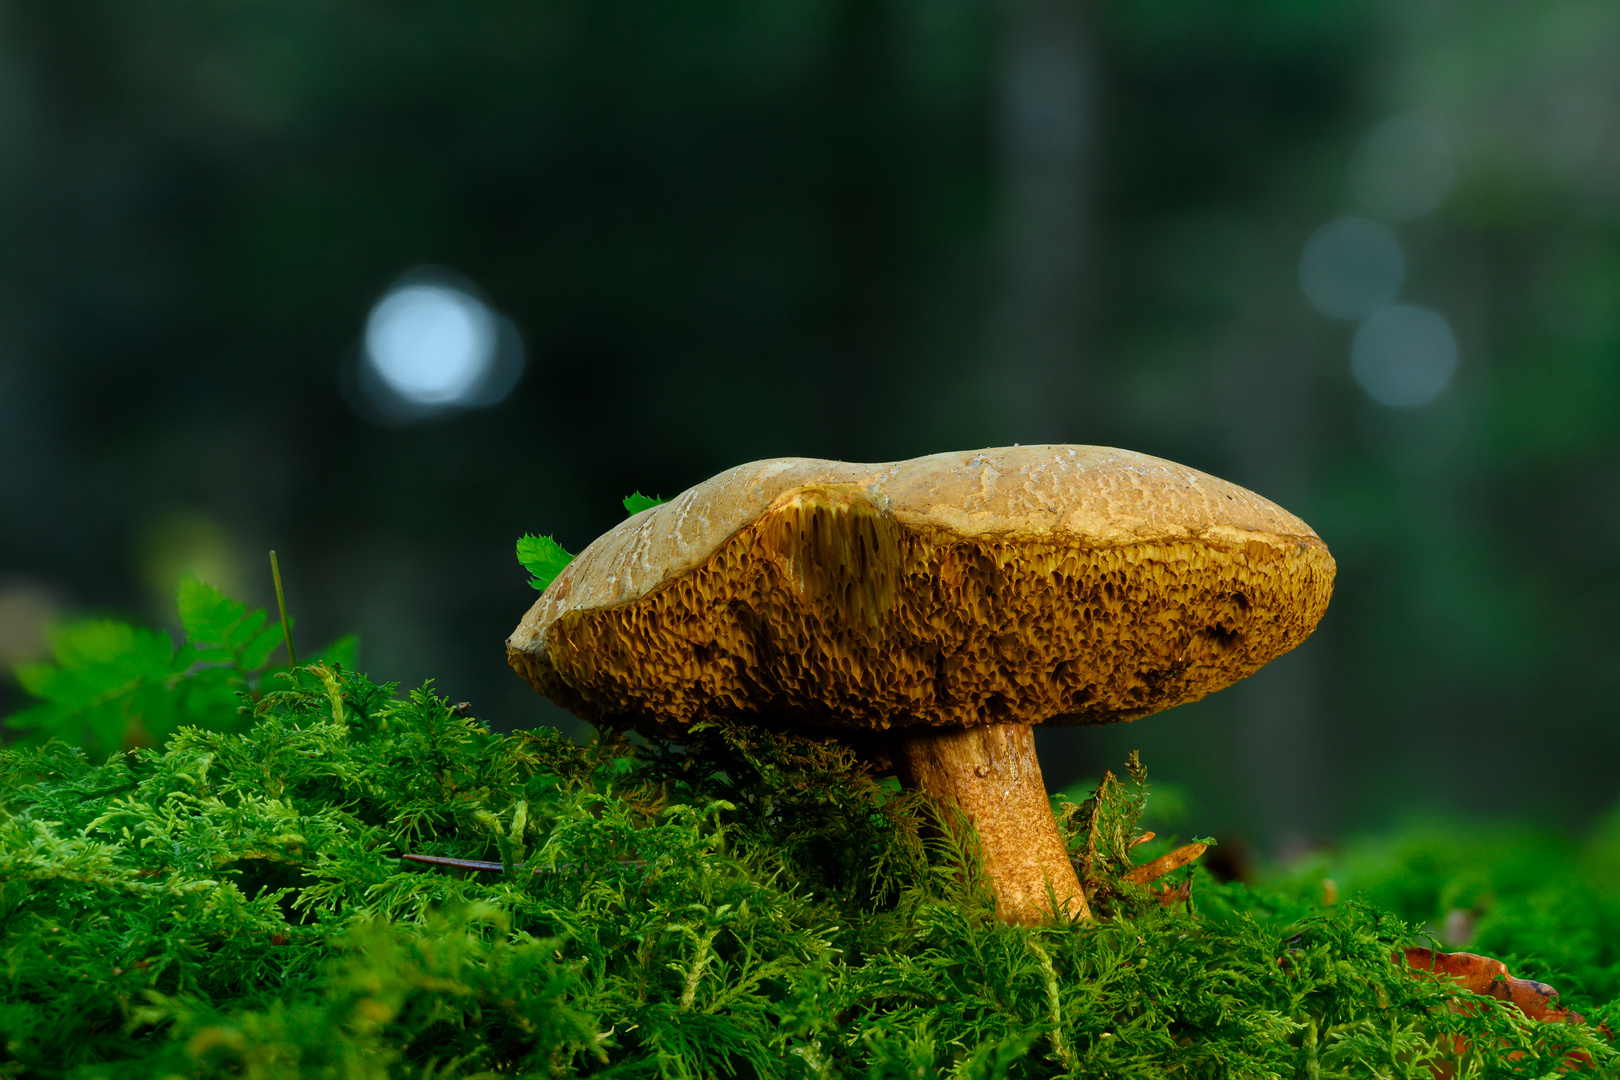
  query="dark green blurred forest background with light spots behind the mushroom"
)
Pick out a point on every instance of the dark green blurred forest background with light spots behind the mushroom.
point(1363, 258)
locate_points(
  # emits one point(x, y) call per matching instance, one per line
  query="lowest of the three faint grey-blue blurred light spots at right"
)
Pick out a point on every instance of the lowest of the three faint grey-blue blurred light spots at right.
point(1404, 355)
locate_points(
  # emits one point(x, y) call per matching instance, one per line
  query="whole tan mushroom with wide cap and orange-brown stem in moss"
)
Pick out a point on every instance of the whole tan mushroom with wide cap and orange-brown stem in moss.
point(947, 605)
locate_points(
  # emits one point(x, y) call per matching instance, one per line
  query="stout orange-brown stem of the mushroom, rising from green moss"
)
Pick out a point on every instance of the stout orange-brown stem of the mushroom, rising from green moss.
point(992, 775)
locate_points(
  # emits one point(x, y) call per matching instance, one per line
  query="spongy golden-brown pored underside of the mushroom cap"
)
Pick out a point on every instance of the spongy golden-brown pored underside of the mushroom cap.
point(829, 613)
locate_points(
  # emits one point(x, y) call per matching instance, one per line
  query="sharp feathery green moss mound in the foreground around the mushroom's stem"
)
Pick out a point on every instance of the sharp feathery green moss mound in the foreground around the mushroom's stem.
point(744, 906)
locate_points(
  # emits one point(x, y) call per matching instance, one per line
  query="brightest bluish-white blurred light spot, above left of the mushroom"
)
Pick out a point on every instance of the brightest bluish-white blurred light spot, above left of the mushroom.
point(432, 344)
